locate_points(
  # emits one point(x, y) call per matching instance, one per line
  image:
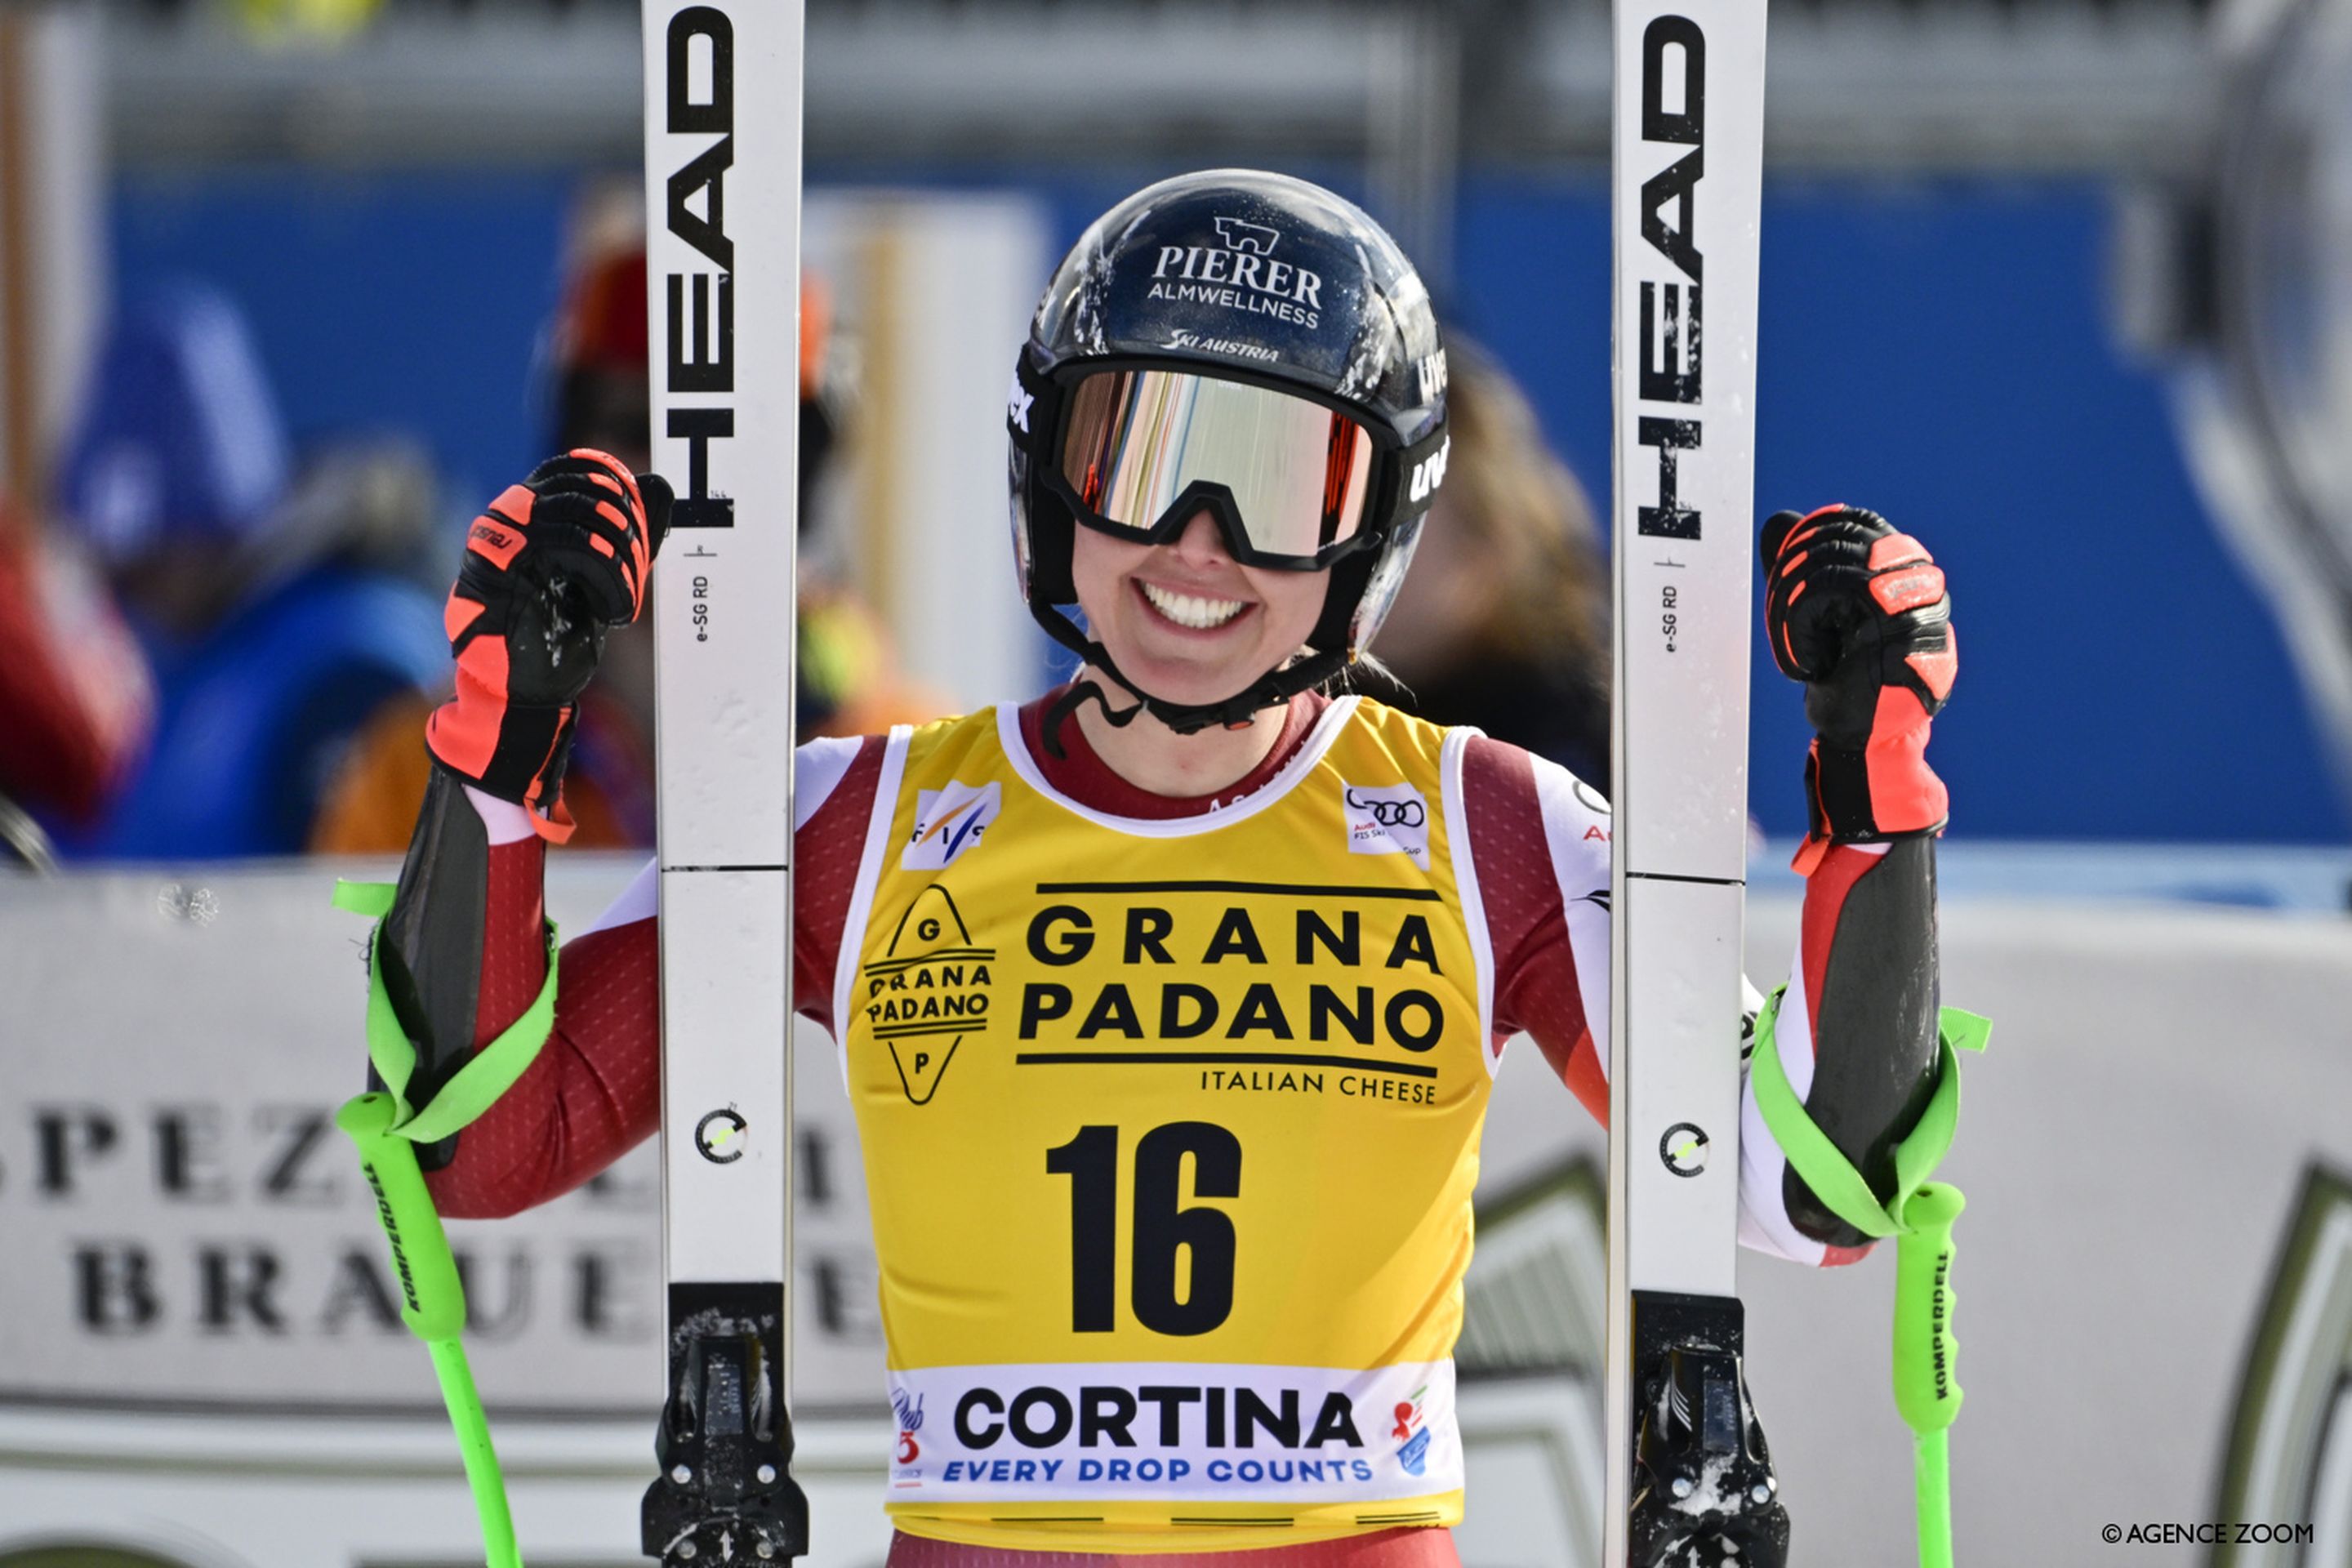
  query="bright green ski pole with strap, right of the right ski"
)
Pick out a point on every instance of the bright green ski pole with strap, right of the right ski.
point(1920, 1219)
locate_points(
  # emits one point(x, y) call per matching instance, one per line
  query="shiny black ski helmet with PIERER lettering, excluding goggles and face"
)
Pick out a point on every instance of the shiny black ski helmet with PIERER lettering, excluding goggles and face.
point(1325, 307)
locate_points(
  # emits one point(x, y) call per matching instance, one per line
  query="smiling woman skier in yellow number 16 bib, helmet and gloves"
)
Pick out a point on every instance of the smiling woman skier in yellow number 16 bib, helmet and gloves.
point(1172, 1000)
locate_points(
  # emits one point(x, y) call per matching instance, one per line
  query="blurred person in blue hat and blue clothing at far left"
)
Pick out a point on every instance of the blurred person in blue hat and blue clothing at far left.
point(276, 617)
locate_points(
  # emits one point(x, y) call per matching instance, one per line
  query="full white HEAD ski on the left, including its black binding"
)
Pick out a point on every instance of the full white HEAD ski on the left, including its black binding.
point(723, 297)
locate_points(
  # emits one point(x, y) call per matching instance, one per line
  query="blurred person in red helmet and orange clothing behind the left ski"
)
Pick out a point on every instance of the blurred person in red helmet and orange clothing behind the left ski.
point(601, 398)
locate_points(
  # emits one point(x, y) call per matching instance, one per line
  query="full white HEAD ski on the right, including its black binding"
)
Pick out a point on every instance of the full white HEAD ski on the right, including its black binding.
point(1690, 1477)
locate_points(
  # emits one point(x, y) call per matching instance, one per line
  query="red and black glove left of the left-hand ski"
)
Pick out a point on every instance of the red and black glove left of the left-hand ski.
point(549, 568)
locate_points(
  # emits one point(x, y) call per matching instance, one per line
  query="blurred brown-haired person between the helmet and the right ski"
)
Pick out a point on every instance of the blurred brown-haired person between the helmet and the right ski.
point(1504, 622)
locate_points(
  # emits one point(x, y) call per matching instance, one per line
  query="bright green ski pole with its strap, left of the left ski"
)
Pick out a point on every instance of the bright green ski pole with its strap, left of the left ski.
point(387, 1134)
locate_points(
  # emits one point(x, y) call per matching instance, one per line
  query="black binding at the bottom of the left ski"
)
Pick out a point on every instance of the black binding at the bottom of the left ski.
point(726, 1445)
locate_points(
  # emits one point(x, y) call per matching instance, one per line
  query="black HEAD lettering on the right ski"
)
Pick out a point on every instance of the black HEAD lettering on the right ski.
point(1669, 354)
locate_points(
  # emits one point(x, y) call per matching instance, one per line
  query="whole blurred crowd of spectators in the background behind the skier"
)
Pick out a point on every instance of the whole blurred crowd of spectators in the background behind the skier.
point(220, 643)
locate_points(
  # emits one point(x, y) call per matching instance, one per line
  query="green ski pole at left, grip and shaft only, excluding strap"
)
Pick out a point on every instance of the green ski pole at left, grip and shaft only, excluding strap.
point(434, 1301)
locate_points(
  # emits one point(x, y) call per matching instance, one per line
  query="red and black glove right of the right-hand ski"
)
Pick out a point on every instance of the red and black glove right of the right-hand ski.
point(1859, 615)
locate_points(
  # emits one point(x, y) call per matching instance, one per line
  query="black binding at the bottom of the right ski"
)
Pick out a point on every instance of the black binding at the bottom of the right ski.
point(1704, 1492)
